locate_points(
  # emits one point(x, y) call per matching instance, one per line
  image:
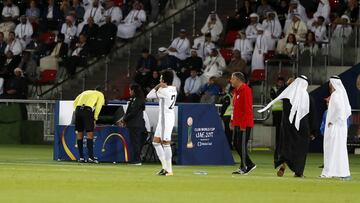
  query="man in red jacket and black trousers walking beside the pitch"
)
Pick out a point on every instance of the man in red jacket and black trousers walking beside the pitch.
point(242, 121)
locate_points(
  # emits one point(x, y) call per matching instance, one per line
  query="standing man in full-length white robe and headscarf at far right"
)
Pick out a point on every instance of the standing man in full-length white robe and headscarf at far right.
point(336, 161)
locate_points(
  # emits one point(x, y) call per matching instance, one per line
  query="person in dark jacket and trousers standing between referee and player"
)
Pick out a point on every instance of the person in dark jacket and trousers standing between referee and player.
point(134, 121)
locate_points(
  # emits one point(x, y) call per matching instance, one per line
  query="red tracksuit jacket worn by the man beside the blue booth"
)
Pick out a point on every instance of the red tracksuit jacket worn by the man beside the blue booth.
point(243, 116)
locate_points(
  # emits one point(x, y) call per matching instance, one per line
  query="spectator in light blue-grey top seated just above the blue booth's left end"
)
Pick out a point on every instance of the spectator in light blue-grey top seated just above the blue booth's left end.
point(192, 87)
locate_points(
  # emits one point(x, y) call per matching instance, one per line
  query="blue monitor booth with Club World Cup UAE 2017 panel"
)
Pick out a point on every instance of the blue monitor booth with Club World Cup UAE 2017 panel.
point(198, 135)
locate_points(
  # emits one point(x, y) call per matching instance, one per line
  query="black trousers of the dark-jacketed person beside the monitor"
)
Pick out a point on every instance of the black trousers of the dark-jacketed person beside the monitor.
point(138, 137)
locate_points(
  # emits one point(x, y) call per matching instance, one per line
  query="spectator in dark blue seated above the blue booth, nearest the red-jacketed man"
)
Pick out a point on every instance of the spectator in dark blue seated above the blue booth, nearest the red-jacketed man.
point(210, 92)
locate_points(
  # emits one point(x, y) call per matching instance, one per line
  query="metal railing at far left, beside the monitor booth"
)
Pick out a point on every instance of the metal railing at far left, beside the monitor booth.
point(38, 110)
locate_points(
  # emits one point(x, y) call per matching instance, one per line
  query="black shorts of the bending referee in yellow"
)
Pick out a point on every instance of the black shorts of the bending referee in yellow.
point(84, 119)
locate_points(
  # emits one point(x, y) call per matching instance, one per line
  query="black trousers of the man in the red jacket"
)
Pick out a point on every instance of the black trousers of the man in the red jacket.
point(240, 143)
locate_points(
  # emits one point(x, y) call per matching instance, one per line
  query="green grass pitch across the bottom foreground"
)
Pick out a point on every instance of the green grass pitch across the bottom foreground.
point(28, 174)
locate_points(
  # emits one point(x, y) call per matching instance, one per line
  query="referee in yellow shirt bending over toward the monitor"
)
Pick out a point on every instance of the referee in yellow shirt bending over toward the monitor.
point(87, 107)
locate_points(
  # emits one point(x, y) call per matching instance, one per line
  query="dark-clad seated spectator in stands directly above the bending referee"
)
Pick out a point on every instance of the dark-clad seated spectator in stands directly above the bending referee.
point(78, 56)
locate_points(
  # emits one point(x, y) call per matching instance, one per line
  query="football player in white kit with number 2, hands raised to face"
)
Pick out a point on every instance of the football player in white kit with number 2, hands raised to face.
point(162, 137)
